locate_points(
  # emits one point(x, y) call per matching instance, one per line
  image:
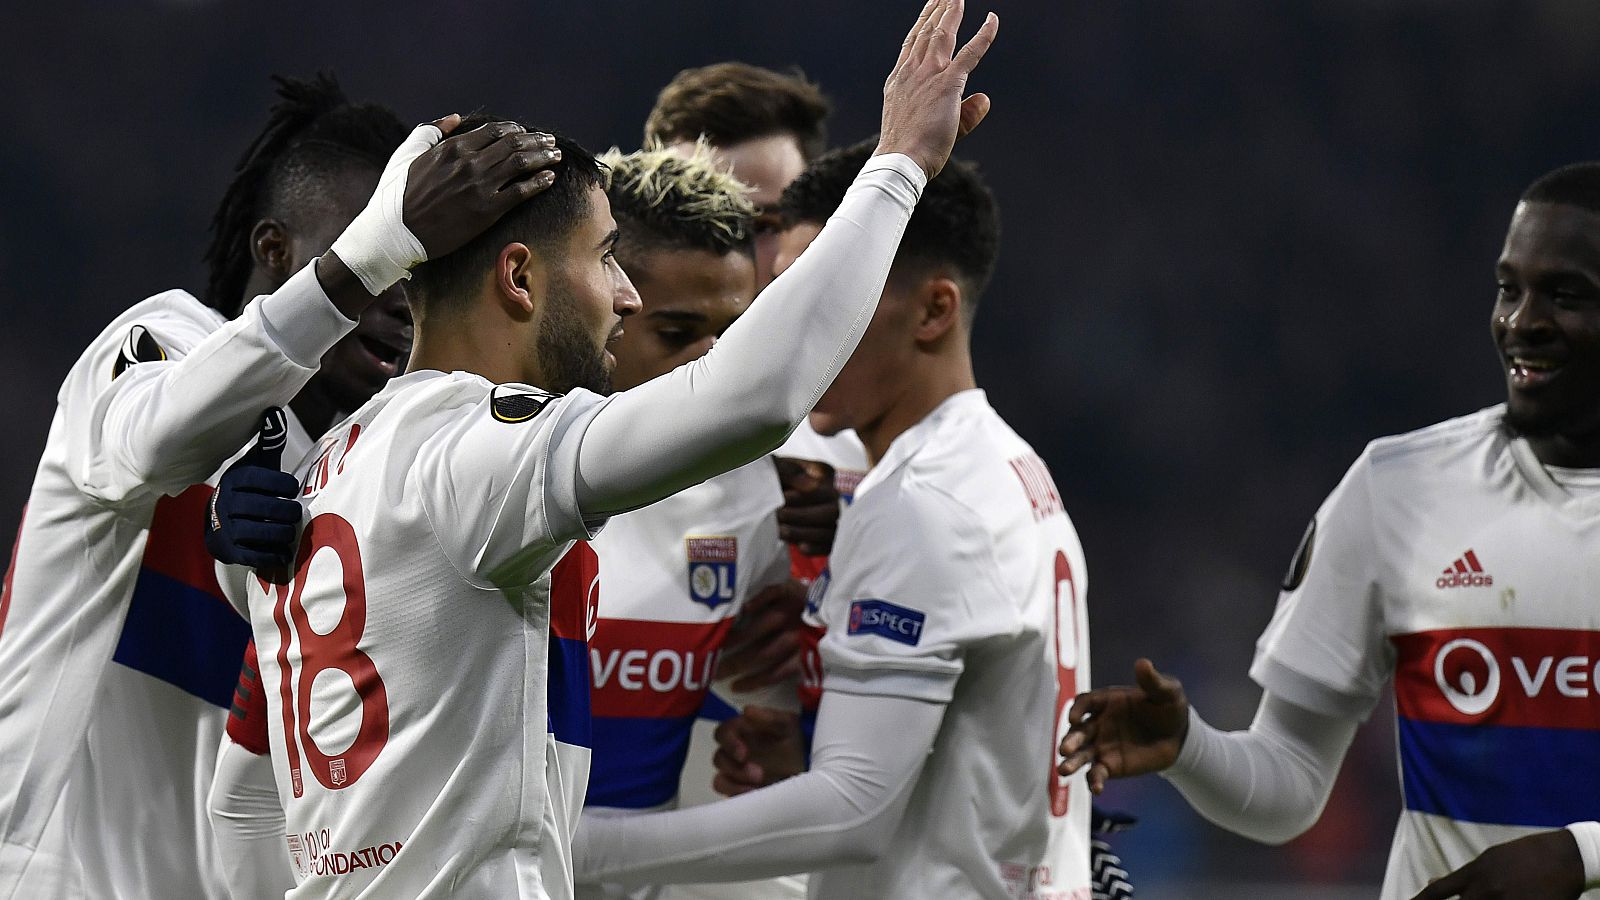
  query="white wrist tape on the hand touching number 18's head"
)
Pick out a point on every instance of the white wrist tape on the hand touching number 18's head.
point(377, 246)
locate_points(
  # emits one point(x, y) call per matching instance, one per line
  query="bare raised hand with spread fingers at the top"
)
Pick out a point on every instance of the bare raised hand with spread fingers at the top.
point(924, 113)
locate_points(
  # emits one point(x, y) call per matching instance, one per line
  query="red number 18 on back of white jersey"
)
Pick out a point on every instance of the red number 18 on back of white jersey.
point(334, 651)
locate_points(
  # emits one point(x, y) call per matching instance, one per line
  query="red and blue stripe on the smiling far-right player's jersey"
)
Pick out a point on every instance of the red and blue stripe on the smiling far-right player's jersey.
point(1500, 725)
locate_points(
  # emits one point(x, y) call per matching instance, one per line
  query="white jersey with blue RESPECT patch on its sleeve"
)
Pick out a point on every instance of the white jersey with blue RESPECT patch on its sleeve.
point(959, 579)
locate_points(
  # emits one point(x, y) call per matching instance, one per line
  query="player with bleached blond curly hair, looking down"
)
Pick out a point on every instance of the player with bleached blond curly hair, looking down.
point(676, 574)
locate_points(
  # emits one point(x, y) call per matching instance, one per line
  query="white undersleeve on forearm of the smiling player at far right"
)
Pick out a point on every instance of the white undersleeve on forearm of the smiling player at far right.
point(1270, 782)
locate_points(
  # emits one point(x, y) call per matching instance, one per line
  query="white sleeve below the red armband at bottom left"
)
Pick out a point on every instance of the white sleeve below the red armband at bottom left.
point(247, 819)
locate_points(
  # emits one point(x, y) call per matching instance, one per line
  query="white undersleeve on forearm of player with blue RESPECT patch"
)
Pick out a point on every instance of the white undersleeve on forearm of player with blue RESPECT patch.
point(844, 811)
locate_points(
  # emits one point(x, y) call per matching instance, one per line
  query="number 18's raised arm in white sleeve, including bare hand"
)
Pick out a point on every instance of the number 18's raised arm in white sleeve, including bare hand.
point(767, 372)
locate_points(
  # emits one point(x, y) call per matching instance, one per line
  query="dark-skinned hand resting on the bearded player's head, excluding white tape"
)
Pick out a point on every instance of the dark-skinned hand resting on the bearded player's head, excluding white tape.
point(454, 193)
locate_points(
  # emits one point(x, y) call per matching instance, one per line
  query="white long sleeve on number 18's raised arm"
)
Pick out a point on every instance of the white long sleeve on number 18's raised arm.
point(767, 372)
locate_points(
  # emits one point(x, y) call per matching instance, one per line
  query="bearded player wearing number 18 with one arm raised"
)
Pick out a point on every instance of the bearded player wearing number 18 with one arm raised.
point(410, 661)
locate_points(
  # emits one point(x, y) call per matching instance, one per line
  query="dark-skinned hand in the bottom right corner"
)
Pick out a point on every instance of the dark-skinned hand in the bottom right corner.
point(1538, 867)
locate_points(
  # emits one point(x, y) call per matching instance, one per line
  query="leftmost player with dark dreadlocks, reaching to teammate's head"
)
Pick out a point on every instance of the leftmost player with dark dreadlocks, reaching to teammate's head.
point(118, 654)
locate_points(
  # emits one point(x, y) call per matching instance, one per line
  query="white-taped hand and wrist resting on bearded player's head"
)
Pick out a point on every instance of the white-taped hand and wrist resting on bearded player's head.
point(434, 196)
